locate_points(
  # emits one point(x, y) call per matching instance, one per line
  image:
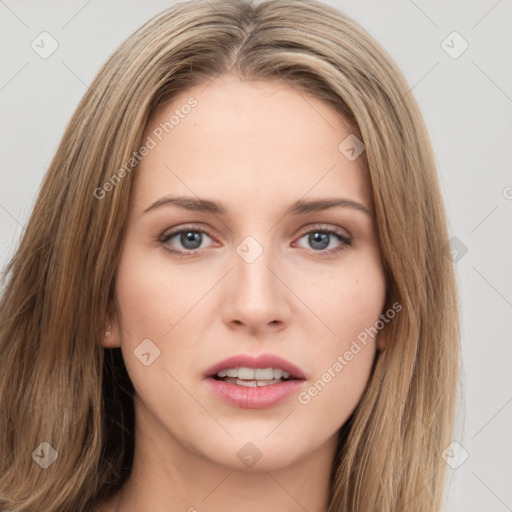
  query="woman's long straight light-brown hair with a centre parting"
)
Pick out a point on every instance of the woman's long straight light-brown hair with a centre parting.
point(59, 385)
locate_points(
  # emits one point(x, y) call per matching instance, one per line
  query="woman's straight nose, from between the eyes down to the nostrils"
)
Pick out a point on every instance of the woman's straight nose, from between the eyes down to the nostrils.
point(255, 294)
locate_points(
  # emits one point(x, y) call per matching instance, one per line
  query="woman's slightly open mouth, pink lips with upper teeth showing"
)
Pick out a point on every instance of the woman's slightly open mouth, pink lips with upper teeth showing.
point(254, 382)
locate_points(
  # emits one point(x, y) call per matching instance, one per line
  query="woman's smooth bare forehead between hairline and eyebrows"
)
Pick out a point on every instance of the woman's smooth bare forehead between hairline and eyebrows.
point(248, 143)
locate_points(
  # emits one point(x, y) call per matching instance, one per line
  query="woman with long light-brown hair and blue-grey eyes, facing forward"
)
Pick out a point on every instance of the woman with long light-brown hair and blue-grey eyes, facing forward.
point(233, 291)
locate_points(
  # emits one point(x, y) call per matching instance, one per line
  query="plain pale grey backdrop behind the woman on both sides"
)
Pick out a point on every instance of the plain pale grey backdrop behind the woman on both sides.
point(463, 83)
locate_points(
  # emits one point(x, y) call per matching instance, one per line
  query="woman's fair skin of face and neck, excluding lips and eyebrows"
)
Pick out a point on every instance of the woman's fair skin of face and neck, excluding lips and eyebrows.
point(256, 147)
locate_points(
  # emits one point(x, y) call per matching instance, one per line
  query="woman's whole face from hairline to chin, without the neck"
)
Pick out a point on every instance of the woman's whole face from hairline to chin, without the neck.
point(254, 277)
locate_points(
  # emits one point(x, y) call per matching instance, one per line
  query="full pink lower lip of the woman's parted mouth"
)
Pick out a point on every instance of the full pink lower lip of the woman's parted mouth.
point(259, 397)
